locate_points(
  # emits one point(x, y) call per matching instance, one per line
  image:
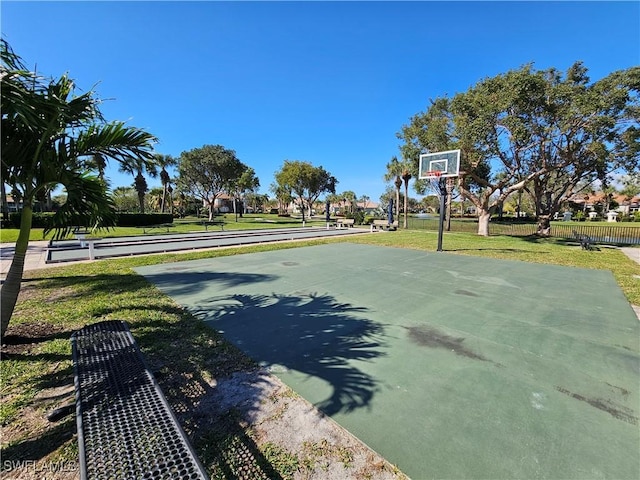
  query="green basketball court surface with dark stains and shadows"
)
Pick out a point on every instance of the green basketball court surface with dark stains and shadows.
point(449, 366)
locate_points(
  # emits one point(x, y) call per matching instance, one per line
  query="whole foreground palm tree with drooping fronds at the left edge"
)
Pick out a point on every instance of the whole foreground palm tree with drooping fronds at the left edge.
point(46, 134)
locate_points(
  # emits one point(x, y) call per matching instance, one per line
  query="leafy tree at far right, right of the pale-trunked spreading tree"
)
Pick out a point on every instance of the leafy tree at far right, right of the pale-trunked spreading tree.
point(584, 132)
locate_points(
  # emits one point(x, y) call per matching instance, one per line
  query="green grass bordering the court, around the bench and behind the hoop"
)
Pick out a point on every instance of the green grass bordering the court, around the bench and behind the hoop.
point(37, 373)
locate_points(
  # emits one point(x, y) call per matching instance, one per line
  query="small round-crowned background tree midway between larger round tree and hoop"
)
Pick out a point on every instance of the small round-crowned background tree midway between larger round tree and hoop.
point(306, 181)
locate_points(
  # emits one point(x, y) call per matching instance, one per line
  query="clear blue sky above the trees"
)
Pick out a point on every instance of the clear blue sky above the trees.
point(326, 82)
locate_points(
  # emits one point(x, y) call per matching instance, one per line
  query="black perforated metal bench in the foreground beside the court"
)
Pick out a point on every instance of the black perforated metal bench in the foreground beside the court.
point(126, 428)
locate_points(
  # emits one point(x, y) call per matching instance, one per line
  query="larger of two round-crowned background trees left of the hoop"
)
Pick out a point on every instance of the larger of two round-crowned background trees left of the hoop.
point(209, 171)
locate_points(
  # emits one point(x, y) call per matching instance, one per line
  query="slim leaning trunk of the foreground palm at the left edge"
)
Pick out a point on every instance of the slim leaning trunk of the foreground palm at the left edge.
point(10, 289)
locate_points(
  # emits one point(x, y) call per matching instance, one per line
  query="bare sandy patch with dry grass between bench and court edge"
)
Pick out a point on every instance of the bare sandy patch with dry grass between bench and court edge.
point(294, 437)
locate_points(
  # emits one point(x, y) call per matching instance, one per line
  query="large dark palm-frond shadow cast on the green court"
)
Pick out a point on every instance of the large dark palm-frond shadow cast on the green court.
point(310, 333)
